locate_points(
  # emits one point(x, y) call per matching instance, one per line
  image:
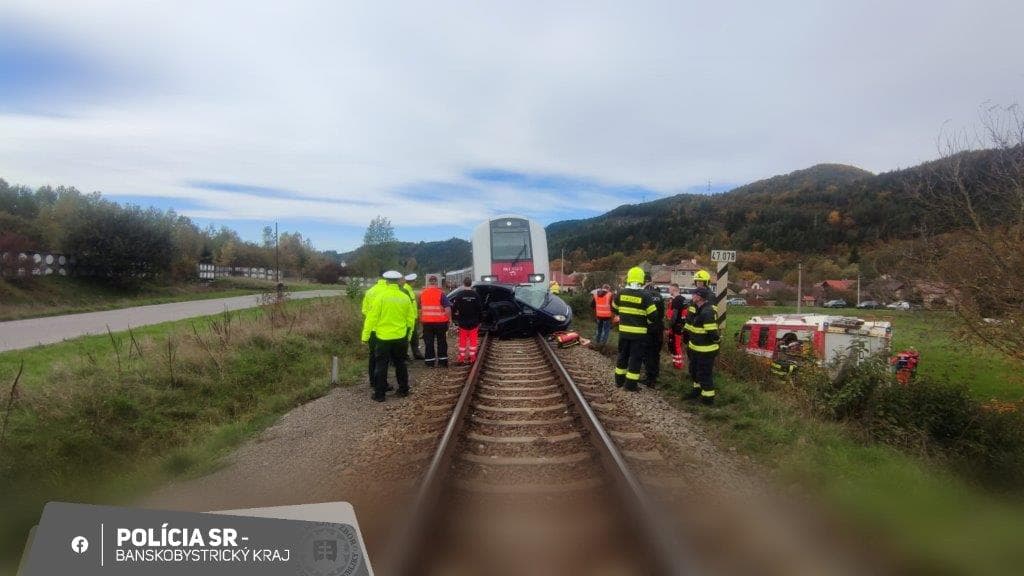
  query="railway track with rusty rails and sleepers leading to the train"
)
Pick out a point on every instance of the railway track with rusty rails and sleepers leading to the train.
point(527, 480)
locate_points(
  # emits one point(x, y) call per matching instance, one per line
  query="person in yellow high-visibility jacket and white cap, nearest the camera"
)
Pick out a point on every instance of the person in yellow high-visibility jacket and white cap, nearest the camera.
point(392, 317)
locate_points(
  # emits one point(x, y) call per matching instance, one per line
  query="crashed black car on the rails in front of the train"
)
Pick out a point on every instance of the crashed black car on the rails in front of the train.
point(517, 311)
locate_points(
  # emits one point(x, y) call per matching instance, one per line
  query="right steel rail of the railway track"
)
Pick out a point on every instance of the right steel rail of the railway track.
point(670, 556)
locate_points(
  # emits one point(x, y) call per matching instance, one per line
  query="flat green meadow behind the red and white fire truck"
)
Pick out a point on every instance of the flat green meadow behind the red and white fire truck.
point(945, 357)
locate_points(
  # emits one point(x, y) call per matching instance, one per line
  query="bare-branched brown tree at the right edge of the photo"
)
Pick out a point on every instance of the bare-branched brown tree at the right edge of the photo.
point(970, 244)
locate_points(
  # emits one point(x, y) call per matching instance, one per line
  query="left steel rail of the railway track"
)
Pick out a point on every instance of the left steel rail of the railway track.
point(409, 547)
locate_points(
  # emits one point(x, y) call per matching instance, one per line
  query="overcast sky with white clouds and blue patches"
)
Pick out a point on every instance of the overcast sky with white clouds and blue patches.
point(324, 114)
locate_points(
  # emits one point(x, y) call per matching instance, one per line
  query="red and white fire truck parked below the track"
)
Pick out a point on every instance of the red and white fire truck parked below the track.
point(790, 340)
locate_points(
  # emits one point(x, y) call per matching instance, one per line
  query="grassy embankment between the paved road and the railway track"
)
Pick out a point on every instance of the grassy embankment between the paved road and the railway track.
point(103, 421)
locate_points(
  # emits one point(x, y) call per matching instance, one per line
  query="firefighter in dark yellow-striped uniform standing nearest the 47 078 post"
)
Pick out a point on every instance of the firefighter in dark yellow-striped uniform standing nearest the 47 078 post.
point(702, 338)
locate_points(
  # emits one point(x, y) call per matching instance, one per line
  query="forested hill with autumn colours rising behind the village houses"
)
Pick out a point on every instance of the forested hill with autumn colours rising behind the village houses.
point(815, 211)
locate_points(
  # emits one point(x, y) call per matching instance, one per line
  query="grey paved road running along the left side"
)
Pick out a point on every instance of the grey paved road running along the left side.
point(19, 335)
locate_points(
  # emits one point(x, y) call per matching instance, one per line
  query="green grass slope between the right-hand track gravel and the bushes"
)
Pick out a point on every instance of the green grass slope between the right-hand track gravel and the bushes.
point(935, 522)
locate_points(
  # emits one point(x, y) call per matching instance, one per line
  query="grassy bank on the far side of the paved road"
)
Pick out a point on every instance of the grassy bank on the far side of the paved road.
point(53, 297)
